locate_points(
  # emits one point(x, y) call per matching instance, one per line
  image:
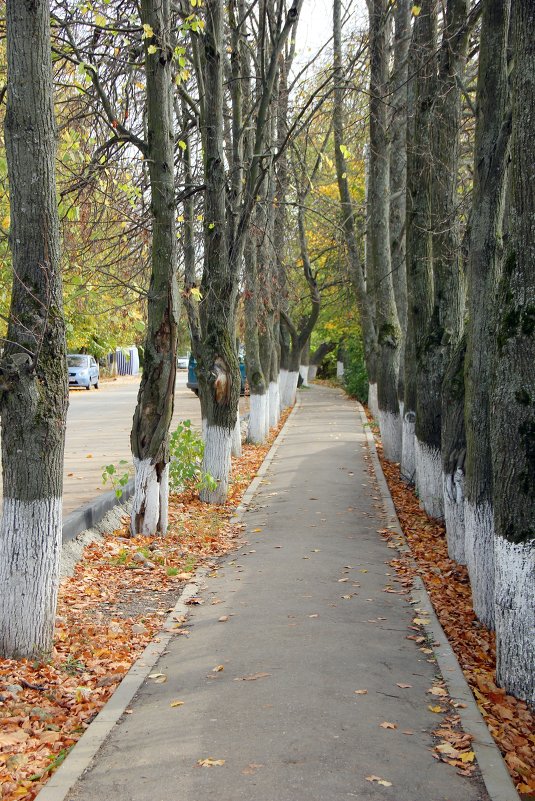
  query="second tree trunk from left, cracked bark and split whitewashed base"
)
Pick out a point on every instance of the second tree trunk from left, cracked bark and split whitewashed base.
point(154, 410)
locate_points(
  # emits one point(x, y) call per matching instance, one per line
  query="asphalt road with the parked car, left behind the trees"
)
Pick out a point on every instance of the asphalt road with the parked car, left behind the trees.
point(98, 433)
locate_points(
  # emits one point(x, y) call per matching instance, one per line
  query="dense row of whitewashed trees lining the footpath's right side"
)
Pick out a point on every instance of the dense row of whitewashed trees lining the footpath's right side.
point(446, 304)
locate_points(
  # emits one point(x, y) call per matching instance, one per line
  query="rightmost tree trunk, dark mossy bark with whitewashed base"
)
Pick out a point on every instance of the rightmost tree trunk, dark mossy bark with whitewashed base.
point(513, 398)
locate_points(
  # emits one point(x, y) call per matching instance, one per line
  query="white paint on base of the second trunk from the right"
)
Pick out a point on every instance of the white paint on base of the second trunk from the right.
point(479, 552)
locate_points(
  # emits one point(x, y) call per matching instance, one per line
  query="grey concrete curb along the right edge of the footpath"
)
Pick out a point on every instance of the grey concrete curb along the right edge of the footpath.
point(494, 773)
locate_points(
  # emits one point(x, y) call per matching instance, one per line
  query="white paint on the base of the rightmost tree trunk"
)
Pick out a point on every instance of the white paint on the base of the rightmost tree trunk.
point(515, 617)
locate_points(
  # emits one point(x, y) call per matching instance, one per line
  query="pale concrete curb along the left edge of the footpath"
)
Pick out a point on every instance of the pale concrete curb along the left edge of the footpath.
point(87, 747)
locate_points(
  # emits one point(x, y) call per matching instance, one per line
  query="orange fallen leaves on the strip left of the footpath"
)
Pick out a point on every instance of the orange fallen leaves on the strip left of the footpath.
point(108, 611)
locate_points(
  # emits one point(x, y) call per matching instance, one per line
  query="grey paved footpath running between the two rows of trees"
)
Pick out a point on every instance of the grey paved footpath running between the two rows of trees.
point(308, 624)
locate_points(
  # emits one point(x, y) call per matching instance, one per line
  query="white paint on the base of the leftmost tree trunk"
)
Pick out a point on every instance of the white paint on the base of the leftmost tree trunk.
point(30, 554)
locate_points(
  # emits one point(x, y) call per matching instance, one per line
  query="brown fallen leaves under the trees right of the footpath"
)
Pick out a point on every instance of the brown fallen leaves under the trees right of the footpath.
point(509, 720)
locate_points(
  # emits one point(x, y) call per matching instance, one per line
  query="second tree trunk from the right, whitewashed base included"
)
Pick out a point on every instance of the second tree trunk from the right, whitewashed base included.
point(484, 270)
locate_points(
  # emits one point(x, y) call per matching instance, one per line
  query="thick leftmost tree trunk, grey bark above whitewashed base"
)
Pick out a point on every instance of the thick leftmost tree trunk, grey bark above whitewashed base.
point(33, 367)
